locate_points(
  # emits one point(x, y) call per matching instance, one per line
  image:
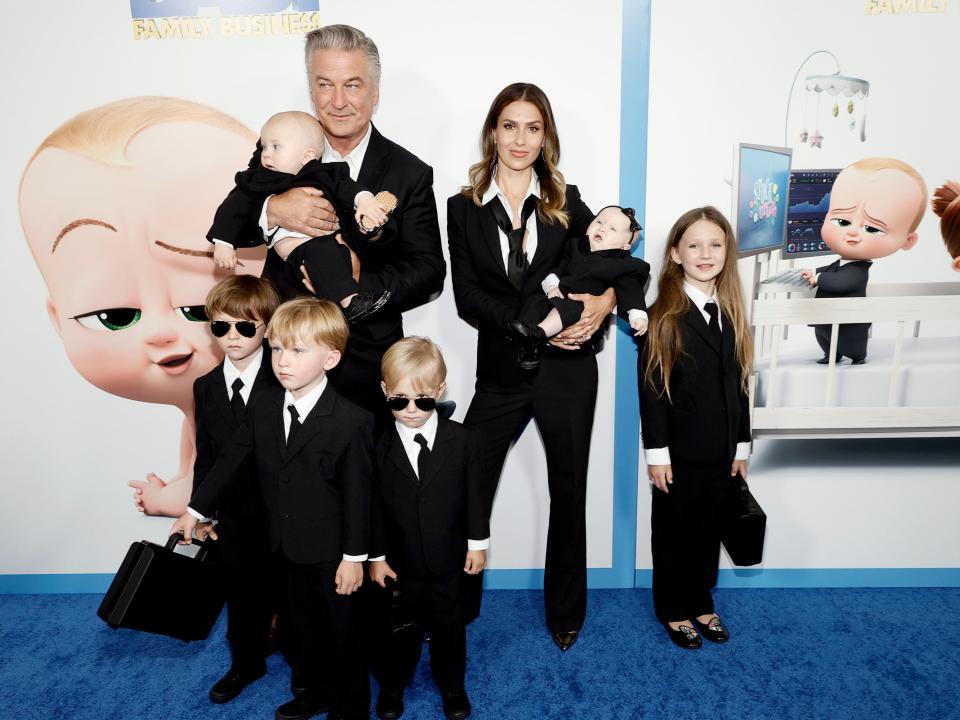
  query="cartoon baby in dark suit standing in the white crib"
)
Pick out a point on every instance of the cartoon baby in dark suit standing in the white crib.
point(876, 205)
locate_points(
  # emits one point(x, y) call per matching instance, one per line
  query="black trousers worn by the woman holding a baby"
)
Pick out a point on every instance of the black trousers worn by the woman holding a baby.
point(560, 398)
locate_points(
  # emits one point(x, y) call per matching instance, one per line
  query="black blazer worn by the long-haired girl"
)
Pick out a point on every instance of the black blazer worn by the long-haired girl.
point(709, 414)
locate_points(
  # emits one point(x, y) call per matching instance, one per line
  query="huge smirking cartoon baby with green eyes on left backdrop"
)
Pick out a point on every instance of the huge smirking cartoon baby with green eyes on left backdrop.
point(115, 205)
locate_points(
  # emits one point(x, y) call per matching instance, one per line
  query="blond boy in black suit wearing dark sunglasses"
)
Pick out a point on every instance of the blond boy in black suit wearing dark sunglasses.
point(431, 525)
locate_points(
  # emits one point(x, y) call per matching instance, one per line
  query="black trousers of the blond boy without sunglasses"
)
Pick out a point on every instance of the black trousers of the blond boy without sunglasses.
point(325, 633)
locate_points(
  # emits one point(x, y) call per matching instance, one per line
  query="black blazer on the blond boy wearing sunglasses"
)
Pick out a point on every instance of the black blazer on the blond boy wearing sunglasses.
point(422, 526)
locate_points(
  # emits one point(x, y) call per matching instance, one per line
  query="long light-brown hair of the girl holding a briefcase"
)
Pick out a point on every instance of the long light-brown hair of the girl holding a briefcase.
point(664, 339)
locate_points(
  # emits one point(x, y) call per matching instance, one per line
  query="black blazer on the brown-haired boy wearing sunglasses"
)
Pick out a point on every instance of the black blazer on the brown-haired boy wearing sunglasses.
point(216, 426)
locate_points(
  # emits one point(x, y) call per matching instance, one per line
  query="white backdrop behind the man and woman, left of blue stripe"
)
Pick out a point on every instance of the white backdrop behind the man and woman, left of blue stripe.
point(69, 447)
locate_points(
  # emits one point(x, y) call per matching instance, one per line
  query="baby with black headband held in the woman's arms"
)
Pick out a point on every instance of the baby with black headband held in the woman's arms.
point(606, 263)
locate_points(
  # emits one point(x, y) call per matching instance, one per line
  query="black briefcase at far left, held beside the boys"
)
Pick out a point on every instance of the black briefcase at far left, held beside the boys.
point(148, 590)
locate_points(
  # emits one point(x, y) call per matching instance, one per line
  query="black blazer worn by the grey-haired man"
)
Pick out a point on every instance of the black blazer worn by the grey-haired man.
point(411, 266)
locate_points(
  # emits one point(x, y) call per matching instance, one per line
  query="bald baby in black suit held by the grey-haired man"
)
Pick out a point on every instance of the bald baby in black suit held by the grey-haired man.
point(292, 145)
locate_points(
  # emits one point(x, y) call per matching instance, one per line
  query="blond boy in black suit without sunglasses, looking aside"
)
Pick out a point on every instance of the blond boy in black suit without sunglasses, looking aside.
point(312, 452)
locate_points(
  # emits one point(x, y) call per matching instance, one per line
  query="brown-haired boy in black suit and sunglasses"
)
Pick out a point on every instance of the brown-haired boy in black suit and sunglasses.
point(239, 308)
